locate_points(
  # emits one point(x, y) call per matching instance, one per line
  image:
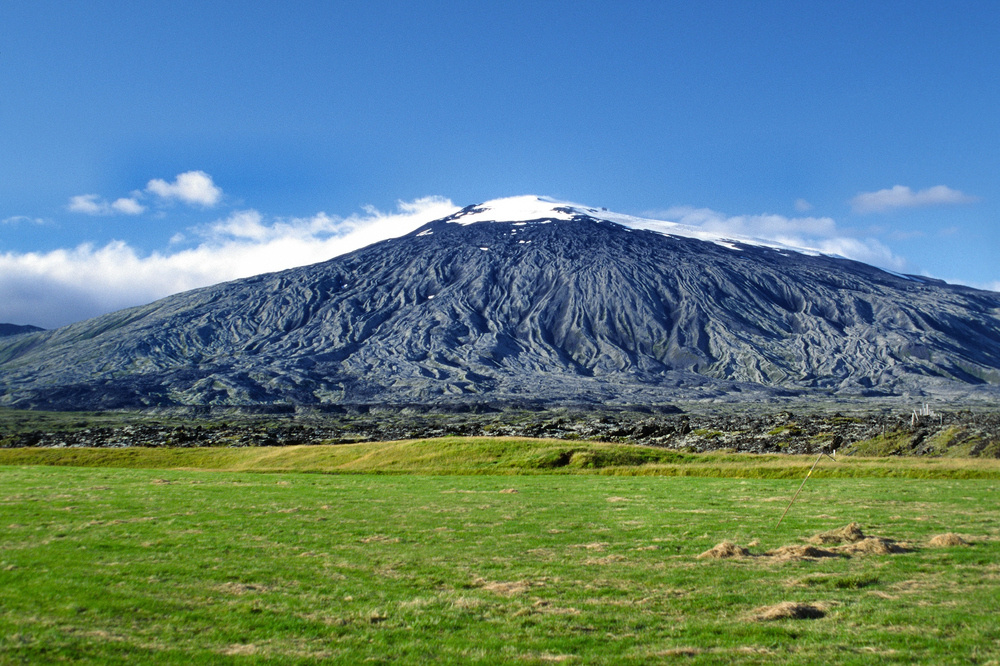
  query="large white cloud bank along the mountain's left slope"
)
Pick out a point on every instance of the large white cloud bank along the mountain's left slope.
point(45, 289)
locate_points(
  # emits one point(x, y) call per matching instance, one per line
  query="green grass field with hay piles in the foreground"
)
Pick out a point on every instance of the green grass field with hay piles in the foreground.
point(480, 551)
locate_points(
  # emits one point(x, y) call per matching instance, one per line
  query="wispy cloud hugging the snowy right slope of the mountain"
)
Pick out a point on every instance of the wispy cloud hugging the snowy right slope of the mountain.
point(820, 234)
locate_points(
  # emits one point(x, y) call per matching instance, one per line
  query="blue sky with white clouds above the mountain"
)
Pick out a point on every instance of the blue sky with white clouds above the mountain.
point(149, 147)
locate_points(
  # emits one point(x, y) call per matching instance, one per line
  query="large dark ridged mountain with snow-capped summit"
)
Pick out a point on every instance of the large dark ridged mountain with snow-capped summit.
point(527, 300)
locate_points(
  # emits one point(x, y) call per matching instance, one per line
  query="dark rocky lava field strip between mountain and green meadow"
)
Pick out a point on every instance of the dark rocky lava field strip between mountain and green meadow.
point(923, 432)
